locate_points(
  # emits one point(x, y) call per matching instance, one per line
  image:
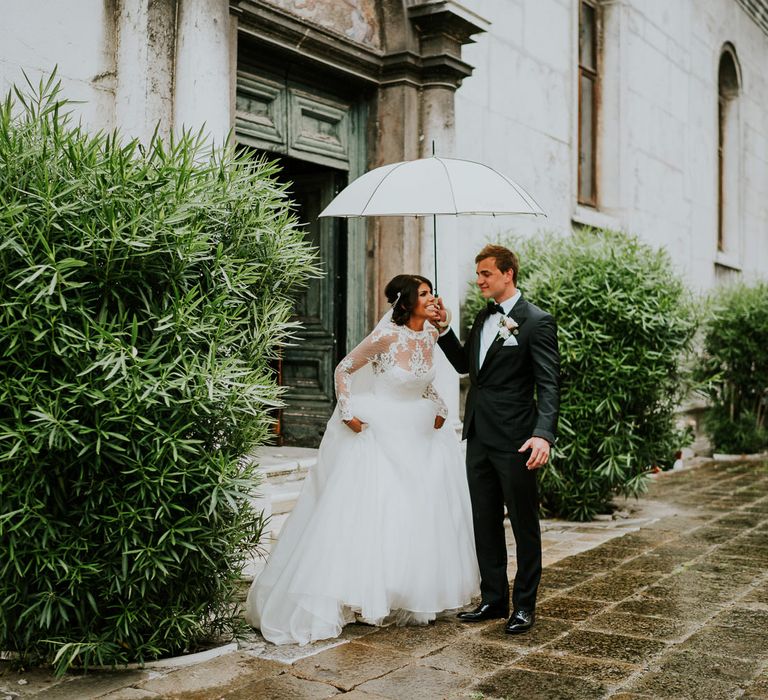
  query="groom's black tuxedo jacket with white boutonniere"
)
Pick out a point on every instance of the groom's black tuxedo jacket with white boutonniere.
point(515, 395)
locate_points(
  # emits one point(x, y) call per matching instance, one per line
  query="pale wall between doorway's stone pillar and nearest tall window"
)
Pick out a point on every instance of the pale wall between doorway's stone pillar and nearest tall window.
point(515, 114)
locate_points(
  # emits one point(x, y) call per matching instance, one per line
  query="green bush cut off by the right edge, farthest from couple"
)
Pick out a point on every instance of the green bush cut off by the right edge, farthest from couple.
point(733, 368)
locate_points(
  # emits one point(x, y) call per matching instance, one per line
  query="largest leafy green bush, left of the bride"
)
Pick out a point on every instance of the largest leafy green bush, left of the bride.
point(143, 294)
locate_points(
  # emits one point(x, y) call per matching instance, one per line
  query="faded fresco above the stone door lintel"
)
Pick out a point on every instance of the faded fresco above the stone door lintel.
point(356, 19)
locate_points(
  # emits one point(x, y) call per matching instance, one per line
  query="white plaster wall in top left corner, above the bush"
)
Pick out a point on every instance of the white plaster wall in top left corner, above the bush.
point(78, 37)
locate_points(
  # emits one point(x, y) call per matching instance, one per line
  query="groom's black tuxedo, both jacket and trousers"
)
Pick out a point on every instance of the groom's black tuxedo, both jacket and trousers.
point(512, 397)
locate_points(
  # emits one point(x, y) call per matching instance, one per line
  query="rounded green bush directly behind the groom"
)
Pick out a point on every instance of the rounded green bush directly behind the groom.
point(624, 324)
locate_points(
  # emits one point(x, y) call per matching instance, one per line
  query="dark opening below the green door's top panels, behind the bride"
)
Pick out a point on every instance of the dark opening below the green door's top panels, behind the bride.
point(306, 368)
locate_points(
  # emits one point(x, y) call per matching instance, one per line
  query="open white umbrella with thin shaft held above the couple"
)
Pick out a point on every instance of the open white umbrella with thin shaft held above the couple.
point(429, 187)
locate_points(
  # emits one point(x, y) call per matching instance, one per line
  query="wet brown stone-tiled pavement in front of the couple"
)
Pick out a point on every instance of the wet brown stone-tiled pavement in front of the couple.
point(670, 603)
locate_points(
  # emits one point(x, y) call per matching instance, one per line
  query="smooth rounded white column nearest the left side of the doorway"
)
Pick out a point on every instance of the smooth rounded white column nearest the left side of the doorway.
point(203, 87)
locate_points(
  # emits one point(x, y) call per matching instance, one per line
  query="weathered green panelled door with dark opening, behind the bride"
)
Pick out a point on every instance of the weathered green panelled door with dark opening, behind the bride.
point(315, 129)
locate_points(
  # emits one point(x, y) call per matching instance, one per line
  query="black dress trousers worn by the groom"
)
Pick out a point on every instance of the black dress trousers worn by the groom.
point(495, 479)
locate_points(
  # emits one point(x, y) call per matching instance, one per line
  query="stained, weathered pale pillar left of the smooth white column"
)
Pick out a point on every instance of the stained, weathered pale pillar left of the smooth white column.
point(144, 56)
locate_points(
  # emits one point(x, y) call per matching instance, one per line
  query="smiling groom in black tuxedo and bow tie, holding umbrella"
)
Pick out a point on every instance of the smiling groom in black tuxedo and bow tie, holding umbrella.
point(510, 421)
